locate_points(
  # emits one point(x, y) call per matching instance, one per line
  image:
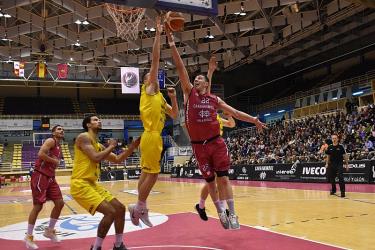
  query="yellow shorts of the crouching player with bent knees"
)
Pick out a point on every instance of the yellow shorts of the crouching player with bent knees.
point(89, 195)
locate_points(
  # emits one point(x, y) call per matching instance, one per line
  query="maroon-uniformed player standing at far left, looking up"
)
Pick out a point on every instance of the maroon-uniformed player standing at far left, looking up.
point(44, 186)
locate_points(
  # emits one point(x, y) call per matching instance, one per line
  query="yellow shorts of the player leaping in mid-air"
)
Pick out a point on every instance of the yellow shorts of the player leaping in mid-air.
point(151, 146)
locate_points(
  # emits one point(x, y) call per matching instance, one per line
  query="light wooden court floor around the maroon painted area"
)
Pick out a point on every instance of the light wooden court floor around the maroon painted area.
point(309, 214)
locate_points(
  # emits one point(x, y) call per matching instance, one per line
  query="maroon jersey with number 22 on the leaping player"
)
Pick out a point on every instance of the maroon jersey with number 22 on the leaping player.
point(201, 116)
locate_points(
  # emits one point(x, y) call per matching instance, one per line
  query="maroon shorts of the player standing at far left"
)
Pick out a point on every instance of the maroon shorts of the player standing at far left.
point(44, 188)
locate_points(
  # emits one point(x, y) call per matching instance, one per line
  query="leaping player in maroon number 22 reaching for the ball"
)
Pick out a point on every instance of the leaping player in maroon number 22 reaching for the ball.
point(208, 146)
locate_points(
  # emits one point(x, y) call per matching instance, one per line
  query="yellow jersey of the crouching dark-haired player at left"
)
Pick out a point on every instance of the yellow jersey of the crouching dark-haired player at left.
point(83, 167)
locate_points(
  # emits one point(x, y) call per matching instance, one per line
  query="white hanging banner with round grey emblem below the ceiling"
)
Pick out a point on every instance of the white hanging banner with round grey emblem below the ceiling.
point(130, 80)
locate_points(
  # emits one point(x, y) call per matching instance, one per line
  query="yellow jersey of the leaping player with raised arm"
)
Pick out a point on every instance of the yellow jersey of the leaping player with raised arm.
point(152, 109)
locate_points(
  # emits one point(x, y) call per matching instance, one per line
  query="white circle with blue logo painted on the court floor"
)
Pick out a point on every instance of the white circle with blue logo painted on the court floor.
point(74, 227)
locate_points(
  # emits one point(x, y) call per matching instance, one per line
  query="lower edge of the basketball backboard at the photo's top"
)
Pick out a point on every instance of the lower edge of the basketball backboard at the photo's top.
point(200, 7)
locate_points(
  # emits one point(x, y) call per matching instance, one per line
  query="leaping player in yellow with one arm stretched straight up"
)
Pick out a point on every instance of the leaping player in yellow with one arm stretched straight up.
point(153, 108)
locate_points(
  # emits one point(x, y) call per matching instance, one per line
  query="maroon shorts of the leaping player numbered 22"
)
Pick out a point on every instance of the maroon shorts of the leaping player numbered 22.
point(212, 157)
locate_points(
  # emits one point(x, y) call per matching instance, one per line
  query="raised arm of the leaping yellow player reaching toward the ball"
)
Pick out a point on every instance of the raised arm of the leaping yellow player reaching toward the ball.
point(152, 86)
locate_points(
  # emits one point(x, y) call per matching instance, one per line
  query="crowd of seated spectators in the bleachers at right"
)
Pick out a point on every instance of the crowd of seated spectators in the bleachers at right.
point(289, 141)
